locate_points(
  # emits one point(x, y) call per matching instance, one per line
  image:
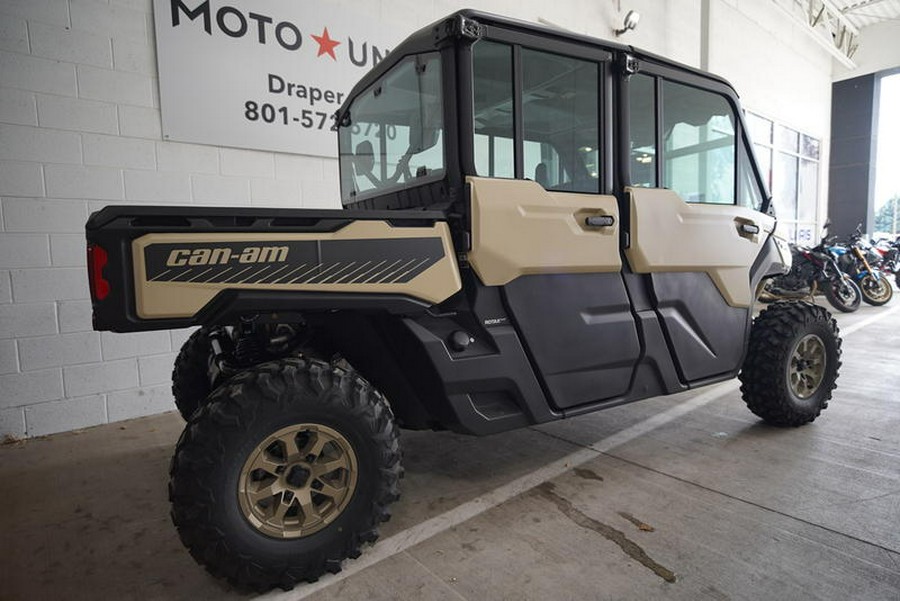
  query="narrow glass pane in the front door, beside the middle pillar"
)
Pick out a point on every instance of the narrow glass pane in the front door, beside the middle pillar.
point(642, 129)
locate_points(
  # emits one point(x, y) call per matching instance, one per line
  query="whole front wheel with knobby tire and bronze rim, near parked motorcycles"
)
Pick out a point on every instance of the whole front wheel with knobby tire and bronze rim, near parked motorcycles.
point(792, 363)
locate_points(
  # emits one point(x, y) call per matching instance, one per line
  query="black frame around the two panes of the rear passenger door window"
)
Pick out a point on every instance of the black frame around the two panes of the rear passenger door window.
point(518, 40)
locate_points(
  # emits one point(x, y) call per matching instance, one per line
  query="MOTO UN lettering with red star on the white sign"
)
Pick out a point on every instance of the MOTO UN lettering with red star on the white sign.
point(267, 29)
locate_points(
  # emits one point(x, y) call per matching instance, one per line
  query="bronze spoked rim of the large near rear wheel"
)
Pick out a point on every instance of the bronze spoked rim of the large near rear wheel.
point(297, 481)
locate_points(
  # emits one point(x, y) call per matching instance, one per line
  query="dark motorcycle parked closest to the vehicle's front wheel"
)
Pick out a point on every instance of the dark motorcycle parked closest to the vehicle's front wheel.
point(814, 270)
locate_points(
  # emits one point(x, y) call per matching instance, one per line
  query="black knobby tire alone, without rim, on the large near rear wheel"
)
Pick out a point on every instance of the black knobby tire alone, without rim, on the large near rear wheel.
point(283, 386)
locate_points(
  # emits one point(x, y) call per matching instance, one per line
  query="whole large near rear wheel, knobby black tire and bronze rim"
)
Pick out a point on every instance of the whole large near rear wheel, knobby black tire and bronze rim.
point(320, 433)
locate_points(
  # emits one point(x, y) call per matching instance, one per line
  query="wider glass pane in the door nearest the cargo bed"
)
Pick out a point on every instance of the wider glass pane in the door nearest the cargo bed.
point(560, 118)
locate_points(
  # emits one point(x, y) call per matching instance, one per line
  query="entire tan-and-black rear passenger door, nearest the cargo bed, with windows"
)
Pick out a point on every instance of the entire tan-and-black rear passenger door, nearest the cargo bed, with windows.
point(545, 225)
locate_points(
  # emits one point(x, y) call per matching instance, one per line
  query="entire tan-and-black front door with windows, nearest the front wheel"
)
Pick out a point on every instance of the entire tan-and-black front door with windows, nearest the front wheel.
point(692, 205)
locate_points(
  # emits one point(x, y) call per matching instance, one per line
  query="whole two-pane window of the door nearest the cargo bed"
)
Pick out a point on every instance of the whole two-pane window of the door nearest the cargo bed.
point(560, 120)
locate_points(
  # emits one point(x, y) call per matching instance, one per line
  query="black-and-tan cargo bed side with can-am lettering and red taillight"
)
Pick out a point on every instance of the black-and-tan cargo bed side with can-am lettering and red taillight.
point(168, 267)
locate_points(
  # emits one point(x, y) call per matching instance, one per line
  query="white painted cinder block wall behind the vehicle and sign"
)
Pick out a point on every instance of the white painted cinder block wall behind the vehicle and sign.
point(80, 129)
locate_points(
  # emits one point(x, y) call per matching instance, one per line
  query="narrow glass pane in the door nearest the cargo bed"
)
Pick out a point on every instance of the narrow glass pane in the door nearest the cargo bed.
point(493, 109)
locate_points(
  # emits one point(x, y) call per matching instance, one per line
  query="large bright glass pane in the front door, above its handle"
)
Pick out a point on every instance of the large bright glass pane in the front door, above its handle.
point(699, 144)
